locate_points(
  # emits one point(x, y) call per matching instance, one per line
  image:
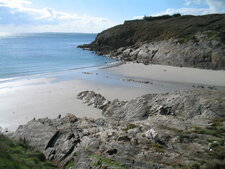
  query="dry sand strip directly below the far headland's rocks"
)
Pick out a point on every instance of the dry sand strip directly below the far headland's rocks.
point(170, 74)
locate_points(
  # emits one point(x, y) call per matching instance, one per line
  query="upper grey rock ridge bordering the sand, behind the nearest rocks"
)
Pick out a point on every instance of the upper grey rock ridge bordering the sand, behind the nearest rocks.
point(190, 104)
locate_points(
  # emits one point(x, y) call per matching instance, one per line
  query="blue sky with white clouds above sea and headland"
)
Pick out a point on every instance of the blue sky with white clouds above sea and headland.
point(91, 16)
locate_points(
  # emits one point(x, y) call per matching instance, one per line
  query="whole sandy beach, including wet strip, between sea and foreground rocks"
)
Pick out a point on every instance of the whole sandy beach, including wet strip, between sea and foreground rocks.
point(48, 96)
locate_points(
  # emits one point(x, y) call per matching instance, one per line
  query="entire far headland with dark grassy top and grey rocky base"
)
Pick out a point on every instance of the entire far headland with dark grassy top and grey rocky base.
point(190, 41)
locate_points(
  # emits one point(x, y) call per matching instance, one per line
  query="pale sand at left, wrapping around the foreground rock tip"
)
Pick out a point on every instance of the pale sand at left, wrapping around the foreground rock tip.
point(23, 100)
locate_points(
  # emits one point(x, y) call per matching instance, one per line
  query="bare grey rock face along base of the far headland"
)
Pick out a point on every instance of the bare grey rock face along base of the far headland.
point(201, 53)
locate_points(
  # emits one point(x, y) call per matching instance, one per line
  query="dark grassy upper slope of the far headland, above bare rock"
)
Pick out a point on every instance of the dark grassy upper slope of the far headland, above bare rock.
point(181, 27)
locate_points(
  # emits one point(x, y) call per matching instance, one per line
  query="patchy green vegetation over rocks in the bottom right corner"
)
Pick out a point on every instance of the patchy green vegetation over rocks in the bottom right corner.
point(211, 137)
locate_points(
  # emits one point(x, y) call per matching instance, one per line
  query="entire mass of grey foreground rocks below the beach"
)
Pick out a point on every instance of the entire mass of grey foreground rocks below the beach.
point(179, 129)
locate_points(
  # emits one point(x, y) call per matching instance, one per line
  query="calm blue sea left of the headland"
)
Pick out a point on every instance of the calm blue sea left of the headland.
point(31, 54)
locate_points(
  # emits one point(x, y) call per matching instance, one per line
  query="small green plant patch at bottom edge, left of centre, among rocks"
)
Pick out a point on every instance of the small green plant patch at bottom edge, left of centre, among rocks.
point(103, 162)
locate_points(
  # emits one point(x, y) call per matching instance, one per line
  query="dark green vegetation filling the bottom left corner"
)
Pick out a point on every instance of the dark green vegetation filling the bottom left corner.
point(18, 155)
